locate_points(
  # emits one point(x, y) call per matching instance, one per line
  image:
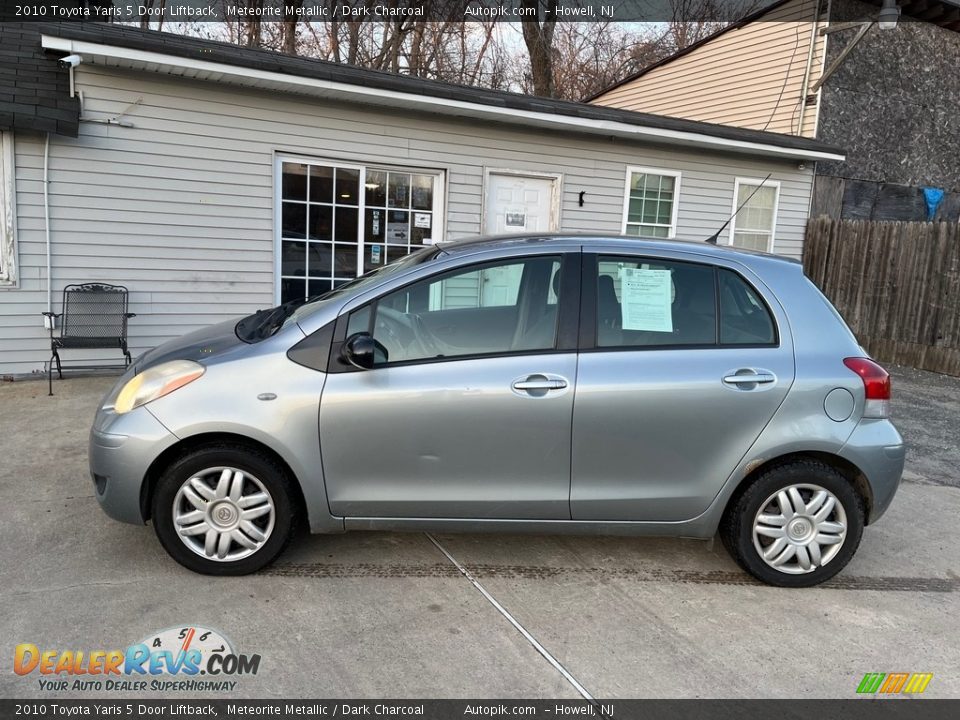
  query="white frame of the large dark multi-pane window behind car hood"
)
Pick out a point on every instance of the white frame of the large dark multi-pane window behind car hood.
point(439, 216)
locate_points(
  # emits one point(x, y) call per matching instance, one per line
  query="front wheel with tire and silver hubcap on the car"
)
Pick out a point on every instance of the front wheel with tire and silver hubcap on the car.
point(200, 493)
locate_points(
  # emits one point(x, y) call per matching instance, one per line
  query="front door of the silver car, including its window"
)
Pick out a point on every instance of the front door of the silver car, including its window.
point(467, 411)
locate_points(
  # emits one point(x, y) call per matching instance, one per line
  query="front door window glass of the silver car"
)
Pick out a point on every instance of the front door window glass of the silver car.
point(504, 307)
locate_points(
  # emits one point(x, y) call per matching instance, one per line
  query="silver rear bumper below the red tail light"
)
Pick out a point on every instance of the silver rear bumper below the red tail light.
point(878, 450)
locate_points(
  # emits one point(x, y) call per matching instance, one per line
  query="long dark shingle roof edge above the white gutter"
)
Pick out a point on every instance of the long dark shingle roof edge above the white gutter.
point(225, 53)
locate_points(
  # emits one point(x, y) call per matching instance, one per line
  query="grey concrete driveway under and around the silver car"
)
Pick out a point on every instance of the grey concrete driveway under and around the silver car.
point(391, 615)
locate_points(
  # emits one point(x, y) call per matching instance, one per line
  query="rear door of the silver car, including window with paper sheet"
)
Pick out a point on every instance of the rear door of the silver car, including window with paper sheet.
point(682, 365)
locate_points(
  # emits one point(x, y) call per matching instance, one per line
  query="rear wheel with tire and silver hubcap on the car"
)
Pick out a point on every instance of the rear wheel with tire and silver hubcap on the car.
point(766, 520)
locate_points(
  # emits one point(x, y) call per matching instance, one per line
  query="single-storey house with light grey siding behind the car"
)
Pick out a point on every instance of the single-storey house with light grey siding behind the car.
point(208, 187)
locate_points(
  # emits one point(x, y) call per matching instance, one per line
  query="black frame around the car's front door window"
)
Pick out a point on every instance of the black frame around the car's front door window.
point(568, 312)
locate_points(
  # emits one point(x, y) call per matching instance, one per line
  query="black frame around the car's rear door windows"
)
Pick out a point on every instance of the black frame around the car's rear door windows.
point(589, 327)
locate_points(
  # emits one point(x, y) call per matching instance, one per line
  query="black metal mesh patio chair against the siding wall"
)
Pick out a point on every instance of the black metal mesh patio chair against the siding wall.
point(94, 317)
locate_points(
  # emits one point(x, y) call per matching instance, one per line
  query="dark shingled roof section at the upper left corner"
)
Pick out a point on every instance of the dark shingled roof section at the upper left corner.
point(34, 91)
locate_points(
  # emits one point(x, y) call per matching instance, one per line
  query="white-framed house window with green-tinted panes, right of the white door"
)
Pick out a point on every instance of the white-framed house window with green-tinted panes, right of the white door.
point(651, 203)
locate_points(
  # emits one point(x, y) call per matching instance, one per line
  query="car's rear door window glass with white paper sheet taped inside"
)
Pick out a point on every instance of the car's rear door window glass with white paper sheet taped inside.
point(648, 302)
